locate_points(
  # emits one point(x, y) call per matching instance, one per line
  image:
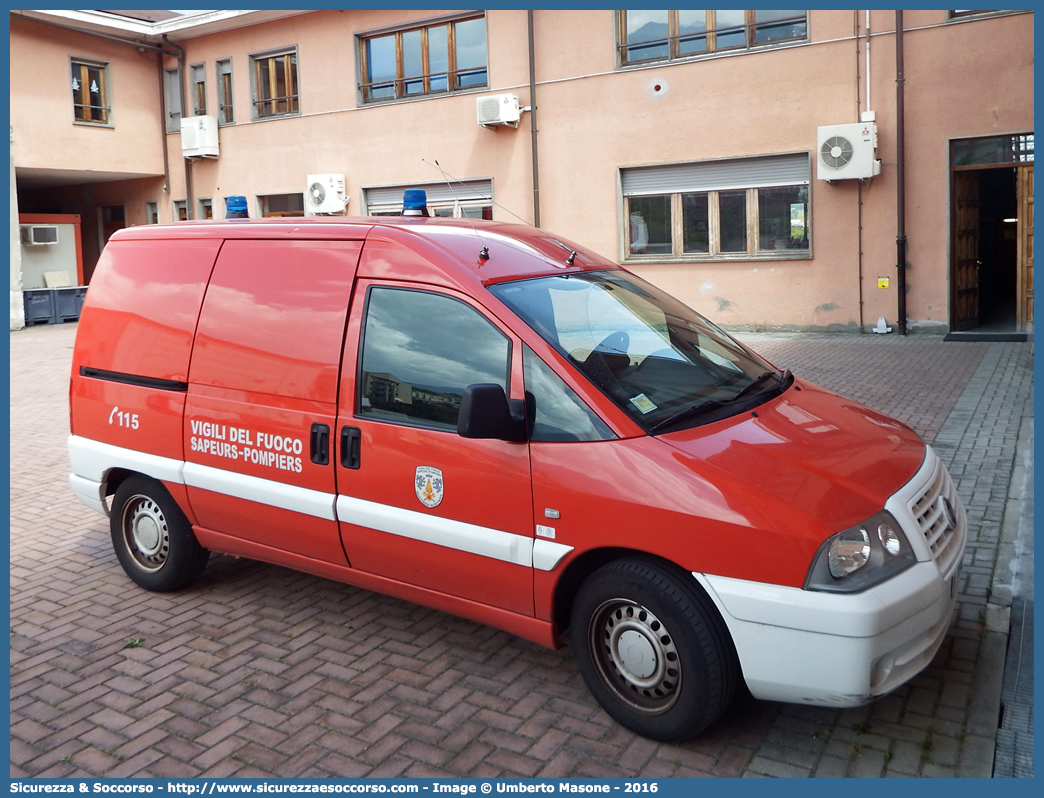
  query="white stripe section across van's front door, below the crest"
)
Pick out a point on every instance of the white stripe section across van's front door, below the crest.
point(443, 532)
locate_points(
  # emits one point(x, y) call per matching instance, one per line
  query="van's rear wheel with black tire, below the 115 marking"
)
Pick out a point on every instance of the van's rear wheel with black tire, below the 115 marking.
point(154, 541)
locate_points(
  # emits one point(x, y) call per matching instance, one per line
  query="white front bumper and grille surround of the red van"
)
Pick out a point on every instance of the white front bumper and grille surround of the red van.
point(846, 649)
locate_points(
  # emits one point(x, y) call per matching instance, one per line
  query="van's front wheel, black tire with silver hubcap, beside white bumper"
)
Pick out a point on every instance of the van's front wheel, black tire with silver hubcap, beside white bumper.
point(653, 649)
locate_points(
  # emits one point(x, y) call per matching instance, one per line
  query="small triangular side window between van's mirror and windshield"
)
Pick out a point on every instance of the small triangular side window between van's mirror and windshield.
point(556, 412)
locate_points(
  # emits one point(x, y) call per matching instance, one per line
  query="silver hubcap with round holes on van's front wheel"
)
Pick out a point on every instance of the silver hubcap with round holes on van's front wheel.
point(636, 655)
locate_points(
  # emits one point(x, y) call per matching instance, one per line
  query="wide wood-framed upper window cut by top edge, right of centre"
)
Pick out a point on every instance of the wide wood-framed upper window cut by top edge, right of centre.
point(649, 36)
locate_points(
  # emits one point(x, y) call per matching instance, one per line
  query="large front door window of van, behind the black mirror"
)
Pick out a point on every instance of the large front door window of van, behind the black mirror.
point(420, 351)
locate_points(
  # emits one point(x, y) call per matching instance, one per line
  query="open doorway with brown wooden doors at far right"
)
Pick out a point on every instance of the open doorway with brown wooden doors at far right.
point(991, 270)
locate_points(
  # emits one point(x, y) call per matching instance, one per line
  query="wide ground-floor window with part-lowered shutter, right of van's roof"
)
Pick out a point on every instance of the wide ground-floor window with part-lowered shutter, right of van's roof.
point(744, 208)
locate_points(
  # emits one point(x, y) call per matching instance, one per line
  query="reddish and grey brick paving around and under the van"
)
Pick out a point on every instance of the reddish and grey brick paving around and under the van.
point(258, 671)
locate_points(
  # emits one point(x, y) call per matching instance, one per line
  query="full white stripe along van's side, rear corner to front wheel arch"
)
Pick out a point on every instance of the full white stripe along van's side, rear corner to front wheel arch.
point(92, 460)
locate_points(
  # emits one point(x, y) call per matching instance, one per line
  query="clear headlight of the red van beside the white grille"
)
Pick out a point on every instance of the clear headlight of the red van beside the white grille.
point(861, 557)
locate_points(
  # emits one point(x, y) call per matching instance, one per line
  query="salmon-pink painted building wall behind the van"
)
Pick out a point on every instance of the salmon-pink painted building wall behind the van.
point(963, 80)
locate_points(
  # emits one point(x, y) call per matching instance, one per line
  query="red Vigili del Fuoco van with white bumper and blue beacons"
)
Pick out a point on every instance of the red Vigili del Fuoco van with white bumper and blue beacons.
point(495, 423)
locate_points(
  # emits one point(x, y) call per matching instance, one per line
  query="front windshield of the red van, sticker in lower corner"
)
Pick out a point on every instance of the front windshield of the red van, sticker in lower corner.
point(663, 364)
